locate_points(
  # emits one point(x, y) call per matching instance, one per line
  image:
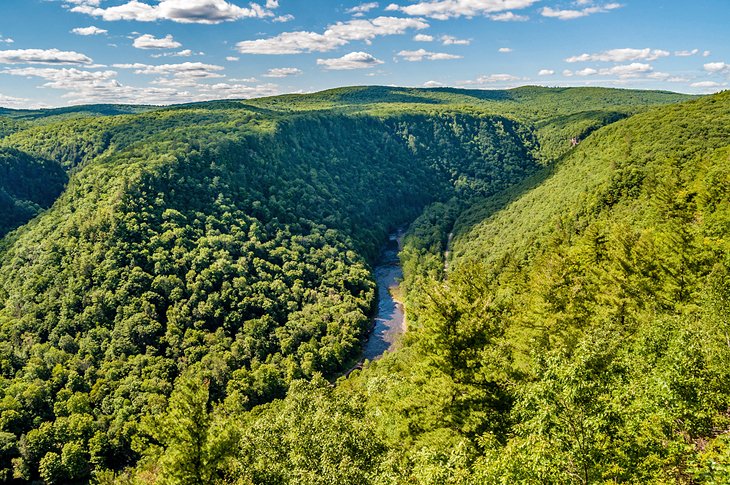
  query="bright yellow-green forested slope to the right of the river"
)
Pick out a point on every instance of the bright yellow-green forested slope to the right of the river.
point(581, 334)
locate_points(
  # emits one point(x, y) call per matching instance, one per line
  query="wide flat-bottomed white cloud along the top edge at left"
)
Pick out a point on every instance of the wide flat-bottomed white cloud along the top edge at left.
point(182, 11)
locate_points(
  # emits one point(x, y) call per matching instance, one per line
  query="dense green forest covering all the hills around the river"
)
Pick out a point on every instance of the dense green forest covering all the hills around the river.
point(180, 289)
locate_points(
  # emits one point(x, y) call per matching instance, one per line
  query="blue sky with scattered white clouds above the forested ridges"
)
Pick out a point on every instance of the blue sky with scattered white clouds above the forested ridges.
point(69, 52)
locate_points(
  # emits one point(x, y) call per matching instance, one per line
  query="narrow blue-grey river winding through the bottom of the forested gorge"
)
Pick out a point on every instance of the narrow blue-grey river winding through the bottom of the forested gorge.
point(389, 322)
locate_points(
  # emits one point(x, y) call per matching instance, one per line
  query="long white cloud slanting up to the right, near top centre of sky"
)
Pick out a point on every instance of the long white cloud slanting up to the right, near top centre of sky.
point(334, 36)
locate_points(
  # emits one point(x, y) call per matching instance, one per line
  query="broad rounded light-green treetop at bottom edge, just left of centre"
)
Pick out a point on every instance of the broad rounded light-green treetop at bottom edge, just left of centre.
point(313, 437)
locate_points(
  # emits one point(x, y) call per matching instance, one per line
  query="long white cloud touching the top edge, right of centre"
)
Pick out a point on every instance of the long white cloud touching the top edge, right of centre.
point(445, 9)
